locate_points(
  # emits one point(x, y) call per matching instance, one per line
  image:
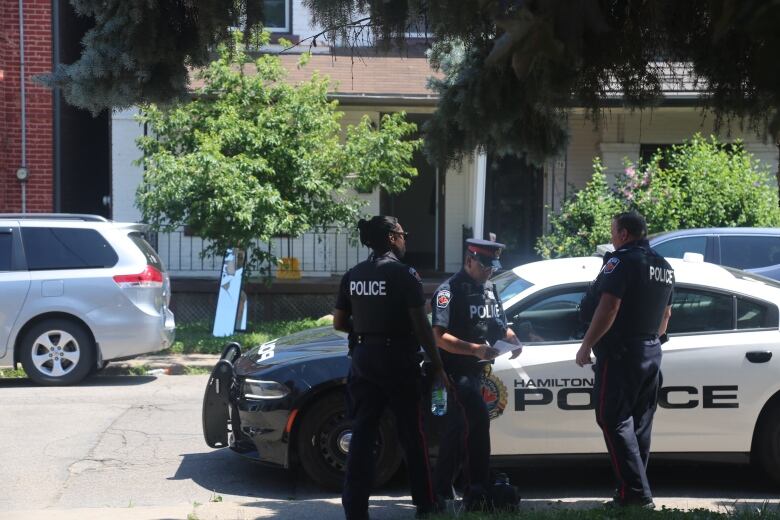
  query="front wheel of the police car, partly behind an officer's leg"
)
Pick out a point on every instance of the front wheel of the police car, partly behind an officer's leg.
point(323, 442)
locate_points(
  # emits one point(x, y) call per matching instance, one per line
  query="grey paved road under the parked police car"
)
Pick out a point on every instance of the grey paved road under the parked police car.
point(134, 444)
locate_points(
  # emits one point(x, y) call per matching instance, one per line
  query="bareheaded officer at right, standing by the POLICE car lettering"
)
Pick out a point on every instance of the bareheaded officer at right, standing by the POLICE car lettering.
point(628, 307)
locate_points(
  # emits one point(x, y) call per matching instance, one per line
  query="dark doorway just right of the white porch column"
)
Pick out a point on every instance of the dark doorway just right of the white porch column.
point(514, 195)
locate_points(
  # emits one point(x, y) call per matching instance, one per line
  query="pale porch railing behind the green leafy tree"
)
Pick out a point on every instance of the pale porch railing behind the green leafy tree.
point(331, 251)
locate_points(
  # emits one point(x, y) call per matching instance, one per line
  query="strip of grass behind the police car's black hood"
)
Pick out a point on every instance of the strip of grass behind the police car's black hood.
point(196, 338)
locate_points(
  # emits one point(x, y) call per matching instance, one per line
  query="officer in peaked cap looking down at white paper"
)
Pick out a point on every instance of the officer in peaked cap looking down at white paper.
point(467, 316)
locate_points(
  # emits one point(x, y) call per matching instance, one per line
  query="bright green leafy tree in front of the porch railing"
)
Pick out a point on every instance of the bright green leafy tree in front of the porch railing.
point(252, 157)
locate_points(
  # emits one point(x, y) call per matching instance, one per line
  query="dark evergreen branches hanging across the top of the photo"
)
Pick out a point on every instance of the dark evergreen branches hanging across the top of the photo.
point(522, 63)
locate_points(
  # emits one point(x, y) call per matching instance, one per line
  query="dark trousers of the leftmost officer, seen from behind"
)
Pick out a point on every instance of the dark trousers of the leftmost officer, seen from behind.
point(384, 377)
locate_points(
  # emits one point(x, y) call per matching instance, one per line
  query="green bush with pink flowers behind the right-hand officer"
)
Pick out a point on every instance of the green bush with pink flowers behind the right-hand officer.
point(701, 183)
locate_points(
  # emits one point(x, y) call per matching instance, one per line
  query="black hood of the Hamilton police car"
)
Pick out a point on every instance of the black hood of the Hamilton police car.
point(305, 345)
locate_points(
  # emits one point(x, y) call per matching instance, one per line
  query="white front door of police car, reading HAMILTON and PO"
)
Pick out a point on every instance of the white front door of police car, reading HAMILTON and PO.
point(549, 407)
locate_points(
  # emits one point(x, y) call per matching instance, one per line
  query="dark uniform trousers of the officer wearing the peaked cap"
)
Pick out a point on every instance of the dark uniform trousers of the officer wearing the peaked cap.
point(465, 438)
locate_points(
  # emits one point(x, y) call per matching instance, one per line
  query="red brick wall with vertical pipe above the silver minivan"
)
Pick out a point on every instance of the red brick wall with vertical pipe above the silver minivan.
point(38, 60)
